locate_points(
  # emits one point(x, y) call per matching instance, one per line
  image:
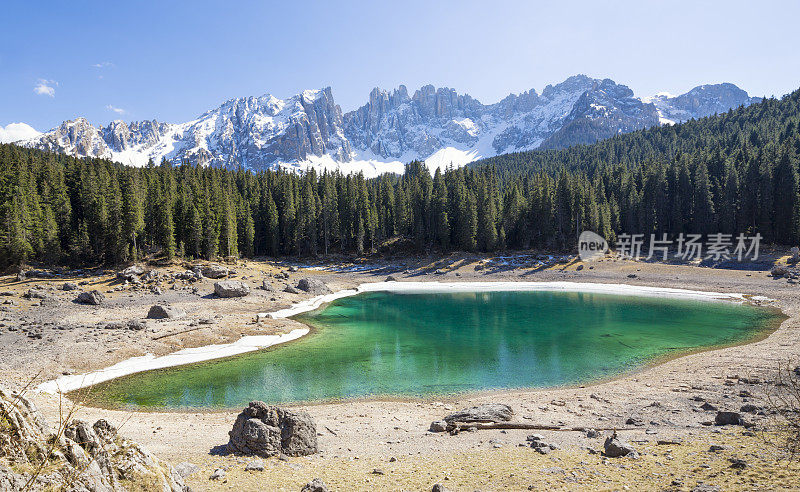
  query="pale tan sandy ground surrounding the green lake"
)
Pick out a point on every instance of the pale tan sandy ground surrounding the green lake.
point(358, 437)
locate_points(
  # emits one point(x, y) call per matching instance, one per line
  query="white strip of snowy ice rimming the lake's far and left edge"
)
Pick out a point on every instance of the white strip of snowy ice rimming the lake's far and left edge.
point(246, 344)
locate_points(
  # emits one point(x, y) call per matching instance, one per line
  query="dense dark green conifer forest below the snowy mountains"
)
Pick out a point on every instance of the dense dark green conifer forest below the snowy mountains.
point(731, 173)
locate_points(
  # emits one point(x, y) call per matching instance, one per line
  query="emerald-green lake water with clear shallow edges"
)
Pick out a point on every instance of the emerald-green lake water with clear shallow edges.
point(413, 345)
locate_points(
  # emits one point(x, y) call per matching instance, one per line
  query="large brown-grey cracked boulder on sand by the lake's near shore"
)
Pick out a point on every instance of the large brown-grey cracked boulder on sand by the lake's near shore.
point(266, 430)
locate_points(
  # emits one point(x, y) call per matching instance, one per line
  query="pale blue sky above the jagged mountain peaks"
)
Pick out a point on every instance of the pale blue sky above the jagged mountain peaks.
point(172, 60)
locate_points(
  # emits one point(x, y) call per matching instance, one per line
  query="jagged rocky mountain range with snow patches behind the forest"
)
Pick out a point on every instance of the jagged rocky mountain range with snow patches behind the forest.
point(440, 126)
